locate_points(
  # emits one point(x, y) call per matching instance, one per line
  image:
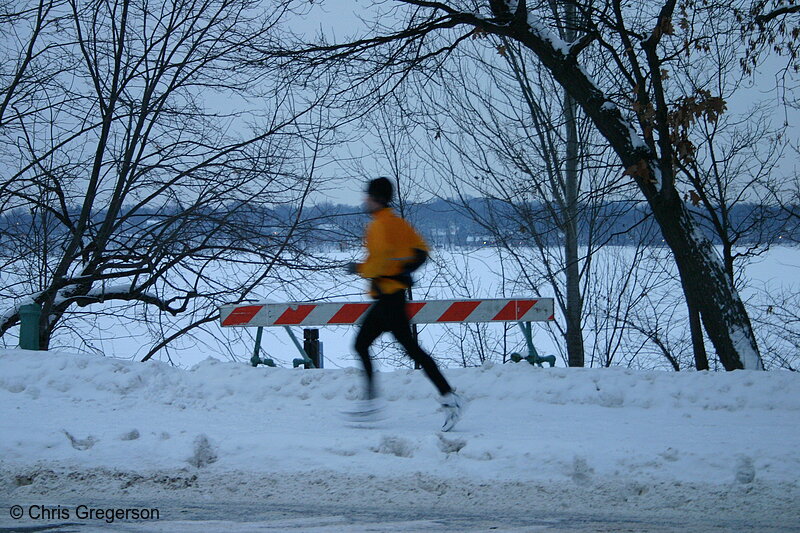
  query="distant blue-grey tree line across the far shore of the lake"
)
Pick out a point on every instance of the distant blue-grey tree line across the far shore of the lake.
point(442, 222)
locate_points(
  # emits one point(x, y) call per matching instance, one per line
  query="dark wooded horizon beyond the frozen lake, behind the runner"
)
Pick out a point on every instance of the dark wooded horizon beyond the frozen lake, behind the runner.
point(477, 221)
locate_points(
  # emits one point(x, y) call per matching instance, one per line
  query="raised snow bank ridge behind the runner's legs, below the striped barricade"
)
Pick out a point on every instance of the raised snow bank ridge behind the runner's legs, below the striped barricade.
point(213, 384)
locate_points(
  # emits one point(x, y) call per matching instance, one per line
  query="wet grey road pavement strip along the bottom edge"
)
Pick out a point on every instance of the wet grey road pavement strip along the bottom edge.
point(180, 517)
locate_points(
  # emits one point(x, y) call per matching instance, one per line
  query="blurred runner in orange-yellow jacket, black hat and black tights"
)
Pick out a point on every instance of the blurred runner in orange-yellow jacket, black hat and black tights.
point(394, 250)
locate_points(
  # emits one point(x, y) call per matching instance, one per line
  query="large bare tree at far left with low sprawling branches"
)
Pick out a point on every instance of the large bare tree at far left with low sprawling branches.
point(164, 168)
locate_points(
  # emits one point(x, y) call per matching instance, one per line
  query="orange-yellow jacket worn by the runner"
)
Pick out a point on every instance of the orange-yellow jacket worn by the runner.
point(391, 243)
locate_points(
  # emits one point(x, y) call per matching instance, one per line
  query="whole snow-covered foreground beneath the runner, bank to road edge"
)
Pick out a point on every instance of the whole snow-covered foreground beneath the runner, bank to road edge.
point(669, 451)
